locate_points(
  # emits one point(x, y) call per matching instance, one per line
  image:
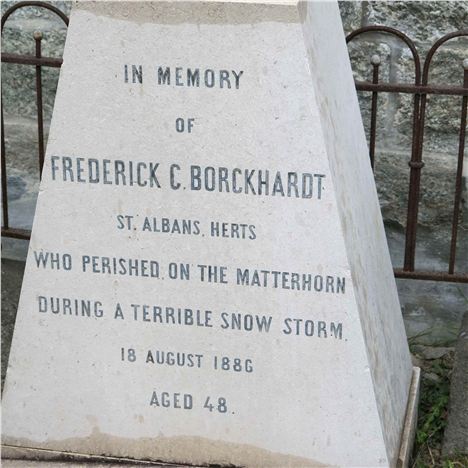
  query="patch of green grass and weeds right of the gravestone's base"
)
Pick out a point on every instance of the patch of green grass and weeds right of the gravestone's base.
point(432, 418)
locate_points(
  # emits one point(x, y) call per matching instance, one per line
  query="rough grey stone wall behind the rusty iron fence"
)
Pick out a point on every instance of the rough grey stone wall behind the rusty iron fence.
point(432, 308)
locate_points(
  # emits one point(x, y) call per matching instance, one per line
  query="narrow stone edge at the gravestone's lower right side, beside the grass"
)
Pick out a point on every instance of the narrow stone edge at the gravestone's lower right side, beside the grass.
point(409, 428)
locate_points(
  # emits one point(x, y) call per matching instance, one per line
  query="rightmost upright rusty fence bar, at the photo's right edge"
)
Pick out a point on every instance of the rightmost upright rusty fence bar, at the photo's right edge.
point(458, 180)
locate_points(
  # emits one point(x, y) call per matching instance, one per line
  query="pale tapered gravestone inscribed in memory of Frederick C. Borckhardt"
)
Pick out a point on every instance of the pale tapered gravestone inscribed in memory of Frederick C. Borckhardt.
point(208, 279)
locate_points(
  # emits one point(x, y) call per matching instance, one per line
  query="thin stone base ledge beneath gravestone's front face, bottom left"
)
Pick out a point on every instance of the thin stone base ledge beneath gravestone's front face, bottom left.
point(11, 452)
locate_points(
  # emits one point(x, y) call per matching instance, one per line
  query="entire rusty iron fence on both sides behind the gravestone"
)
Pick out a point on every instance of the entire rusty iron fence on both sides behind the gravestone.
point(420, 90)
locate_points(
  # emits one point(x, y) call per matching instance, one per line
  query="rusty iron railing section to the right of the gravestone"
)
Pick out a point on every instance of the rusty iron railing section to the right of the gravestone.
point(420, 89)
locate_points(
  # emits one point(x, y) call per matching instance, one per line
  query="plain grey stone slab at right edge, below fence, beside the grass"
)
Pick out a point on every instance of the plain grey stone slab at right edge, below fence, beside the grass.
point(456, 432)
